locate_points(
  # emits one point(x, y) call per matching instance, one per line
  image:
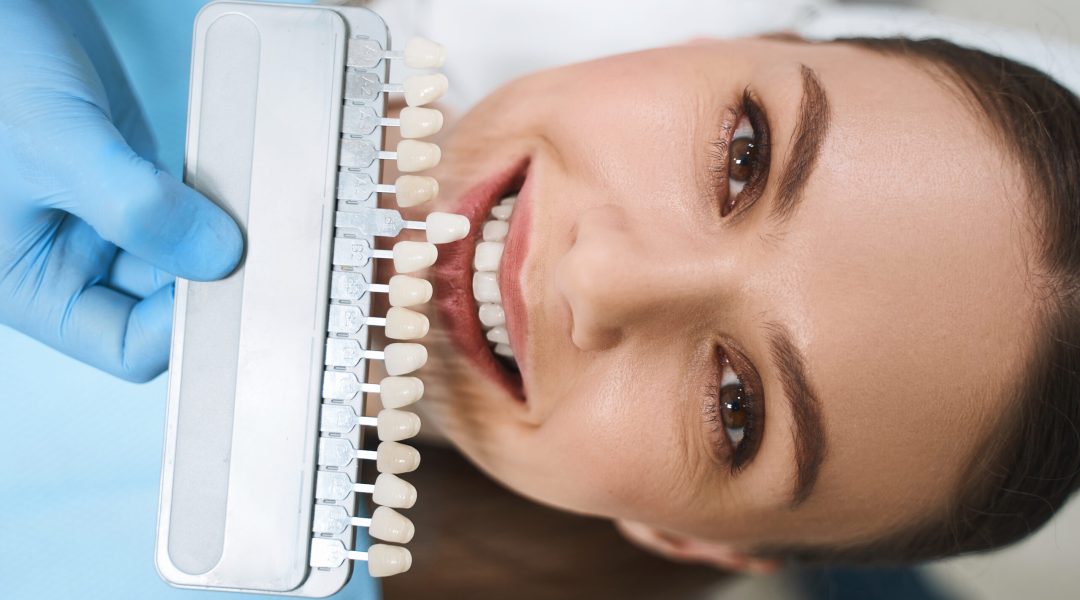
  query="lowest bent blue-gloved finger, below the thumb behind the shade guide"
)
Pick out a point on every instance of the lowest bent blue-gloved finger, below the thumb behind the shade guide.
point(115, 333)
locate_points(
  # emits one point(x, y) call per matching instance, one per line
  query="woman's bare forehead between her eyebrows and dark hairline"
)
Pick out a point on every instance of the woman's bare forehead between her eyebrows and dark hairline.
point(906, 280)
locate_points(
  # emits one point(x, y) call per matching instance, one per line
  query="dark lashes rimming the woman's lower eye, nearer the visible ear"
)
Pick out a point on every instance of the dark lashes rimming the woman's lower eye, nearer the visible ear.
point(736, 455)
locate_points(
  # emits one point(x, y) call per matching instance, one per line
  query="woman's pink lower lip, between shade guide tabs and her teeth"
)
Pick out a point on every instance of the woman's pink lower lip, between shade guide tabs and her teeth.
point(453, 279)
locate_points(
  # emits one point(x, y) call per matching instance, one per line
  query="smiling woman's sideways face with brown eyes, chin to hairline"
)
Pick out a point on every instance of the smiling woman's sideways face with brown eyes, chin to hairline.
point(759, 292)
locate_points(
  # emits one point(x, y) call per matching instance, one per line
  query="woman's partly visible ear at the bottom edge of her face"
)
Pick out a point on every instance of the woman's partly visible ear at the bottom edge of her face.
point(685, 549)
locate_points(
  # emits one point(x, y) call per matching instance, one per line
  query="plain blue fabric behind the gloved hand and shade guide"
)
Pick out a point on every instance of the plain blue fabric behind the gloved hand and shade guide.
point(80, 451)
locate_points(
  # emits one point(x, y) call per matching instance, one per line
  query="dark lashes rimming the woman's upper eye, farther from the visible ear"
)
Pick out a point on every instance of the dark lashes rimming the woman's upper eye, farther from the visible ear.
point(720, 166)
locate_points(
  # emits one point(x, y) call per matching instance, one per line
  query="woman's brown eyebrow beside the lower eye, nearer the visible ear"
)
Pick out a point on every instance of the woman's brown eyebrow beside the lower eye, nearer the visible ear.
point(809, 431)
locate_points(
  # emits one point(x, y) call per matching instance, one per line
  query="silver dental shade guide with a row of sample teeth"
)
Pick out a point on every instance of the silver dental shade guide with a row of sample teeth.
point(268, 374)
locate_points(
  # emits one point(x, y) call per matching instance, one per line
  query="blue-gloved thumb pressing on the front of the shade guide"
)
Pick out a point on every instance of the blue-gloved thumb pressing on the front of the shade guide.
point(143, 210)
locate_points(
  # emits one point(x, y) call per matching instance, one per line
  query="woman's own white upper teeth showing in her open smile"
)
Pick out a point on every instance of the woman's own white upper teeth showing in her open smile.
point(487, 264)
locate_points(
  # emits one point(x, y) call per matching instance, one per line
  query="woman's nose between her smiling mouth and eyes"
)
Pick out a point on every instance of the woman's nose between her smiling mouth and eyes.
point(620, 276)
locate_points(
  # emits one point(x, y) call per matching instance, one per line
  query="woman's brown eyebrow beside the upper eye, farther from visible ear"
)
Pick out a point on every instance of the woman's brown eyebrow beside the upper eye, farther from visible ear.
point(812, 129)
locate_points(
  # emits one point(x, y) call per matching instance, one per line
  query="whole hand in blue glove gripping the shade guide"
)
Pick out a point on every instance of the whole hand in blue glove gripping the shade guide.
point(91, 233)
